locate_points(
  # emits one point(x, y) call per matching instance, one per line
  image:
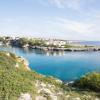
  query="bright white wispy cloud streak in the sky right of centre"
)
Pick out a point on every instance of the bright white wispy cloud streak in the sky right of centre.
point(70, 25)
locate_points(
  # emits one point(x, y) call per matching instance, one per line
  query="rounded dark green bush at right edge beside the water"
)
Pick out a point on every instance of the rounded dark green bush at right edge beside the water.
point(90, 81)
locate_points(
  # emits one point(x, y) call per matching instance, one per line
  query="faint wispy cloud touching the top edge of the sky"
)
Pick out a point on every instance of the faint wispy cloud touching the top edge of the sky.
point(71, 4)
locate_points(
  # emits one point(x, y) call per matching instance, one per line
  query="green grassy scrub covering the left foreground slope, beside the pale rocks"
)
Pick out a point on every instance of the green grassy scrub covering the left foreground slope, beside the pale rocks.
point(14, 81)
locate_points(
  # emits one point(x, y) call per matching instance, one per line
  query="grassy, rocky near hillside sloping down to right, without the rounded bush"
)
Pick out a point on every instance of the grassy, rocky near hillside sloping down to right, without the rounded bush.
point(18, 82)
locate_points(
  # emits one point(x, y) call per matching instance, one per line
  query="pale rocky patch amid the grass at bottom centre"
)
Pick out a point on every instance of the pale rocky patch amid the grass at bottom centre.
point(48, 91)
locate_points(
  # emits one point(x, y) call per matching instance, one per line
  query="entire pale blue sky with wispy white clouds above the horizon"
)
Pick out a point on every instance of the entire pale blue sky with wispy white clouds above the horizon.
point(62, 19)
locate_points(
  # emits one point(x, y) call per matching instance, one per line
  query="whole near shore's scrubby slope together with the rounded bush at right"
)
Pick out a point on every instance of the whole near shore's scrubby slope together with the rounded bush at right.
point(17, 80)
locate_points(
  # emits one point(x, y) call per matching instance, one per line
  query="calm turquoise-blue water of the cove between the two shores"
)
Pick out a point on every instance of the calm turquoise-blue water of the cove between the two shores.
point(67, 66)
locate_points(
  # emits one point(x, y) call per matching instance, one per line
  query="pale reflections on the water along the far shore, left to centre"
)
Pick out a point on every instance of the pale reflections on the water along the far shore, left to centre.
point(29, 51)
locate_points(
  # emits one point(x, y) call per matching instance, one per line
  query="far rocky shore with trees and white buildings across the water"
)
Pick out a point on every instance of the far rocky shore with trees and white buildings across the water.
point(47, 45)
